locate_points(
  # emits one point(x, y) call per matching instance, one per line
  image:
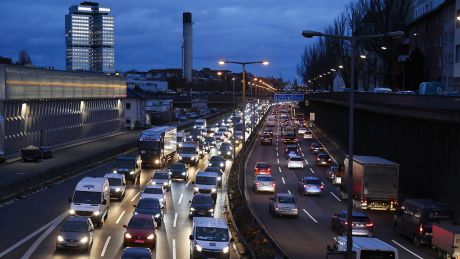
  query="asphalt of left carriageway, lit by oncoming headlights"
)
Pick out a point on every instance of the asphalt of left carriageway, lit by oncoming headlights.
point(31, 223)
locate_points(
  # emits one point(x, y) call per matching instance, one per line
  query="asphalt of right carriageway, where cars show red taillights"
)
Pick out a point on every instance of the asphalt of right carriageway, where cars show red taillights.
point(309, 234)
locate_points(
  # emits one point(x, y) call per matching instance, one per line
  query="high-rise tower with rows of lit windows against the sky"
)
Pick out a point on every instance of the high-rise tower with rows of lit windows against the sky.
point(89, 32)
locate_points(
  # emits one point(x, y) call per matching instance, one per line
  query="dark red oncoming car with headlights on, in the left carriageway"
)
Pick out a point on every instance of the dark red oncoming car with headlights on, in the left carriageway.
point(140, 231)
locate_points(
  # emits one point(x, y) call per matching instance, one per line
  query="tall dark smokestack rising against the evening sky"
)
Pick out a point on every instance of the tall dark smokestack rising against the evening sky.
point(187, 58)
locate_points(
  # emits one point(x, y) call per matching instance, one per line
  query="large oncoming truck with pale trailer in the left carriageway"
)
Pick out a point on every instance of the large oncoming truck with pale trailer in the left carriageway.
point(157, 146)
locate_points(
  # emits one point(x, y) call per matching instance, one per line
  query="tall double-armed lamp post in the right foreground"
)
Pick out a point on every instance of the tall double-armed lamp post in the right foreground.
point(353, 40)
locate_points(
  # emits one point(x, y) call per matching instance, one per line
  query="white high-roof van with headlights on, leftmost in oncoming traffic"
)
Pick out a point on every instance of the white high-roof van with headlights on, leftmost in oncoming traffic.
point(91, 198)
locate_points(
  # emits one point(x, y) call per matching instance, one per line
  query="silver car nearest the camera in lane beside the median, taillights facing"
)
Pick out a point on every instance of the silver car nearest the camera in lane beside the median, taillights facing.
point(283, 204)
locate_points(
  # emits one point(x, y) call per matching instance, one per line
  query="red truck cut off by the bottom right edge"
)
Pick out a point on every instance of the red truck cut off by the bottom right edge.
point(446, 240)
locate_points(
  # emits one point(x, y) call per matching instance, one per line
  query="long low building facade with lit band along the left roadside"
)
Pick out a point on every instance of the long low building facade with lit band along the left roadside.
point(54, 108)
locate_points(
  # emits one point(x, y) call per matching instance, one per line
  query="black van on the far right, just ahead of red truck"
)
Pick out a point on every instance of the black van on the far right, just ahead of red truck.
point(415, 219)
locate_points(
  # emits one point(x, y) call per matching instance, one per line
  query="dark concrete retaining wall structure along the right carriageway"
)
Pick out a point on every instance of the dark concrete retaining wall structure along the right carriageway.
point(421, 133)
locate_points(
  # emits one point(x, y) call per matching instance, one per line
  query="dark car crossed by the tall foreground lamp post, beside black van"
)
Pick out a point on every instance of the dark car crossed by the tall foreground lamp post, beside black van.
point(361, 223)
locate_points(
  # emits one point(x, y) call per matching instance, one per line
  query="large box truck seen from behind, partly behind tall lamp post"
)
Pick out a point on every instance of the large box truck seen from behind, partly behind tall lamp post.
point(375, 183)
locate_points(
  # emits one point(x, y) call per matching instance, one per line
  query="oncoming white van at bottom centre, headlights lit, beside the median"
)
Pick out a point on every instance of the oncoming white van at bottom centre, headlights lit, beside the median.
point(210, 238)
